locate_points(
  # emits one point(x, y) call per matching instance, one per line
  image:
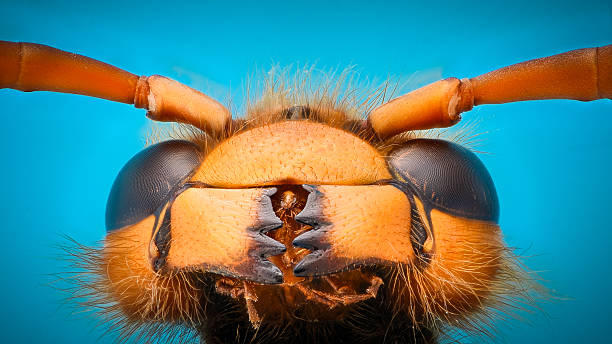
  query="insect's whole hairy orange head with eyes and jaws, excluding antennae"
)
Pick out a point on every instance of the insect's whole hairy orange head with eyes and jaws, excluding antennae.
point(300, 219)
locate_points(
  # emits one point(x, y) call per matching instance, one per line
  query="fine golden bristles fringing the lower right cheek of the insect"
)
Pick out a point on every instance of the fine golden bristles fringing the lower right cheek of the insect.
point(464, 300)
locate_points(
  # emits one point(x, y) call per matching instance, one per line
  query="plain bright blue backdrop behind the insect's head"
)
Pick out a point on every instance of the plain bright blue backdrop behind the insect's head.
point(550, 160)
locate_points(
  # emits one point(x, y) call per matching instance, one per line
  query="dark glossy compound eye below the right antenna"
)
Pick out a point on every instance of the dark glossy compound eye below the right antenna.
point(448, 177)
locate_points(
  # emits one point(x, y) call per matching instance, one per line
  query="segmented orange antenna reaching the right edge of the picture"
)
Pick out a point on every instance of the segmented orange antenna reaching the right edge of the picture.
point(584, 74)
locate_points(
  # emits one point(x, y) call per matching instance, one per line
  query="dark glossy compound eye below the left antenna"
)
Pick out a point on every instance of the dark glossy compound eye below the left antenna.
point(148, 180)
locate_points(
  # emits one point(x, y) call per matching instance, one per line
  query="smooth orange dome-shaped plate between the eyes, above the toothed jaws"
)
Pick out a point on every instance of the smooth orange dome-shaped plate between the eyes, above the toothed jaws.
point(292, 152)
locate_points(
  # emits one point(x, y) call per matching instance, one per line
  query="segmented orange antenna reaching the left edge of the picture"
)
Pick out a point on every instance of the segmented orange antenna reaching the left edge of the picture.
point(34, 67)
